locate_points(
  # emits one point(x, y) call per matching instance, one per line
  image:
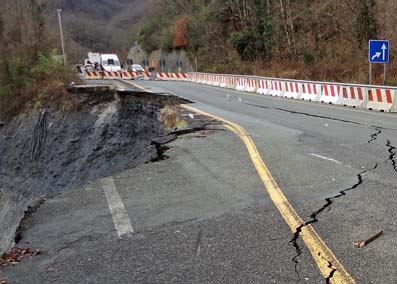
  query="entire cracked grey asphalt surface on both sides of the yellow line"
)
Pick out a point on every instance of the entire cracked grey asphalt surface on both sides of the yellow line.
point(203, 215)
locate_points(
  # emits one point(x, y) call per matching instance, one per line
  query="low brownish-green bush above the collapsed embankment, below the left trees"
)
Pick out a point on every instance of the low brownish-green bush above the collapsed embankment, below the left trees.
point(36, 84)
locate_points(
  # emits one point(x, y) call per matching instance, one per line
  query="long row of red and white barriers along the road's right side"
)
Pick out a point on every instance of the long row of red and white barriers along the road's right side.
point(371, 97)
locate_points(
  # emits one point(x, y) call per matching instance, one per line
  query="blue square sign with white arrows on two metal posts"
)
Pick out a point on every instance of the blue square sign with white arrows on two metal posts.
point(378, 52)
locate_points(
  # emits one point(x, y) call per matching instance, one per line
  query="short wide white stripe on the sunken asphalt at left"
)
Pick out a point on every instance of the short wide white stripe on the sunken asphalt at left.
point(121, 221)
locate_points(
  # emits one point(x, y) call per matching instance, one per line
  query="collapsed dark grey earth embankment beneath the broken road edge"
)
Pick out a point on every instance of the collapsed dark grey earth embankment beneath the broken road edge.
point(45, 152)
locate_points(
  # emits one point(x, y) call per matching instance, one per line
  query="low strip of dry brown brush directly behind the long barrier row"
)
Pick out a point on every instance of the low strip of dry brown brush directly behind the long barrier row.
point(333, 63)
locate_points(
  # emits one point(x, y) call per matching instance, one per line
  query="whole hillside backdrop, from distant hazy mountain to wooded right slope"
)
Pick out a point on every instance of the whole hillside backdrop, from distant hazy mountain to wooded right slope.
point(317, 40)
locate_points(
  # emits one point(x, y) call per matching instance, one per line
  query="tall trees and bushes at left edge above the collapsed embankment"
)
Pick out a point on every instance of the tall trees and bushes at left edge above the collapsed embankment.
point(30, 73)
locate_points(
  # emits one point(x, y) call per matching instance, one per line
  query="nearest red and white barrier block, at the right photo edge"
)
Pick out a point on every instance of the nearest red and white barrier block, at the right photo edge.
point(381, 100)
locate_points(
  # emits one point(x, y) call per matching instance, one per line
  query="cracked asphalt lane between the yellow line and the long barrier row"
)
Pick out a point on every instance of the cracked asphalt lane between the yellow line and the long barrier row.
point(314, 151)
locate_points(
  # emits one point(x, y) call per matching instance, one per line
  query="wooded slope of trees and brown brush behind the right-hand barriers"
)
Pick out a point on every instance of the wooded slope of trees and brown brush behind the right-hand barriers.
point(274, 37)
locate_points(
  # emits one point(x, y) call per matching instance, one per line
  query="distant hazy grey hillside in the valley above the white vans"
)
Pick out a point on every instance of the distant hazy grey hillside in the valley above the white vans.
point(103, 25)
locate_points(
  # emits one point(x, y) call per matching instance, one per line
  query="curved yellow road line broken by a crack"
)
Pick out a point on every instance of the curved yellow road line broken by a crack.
point(322, 255)
